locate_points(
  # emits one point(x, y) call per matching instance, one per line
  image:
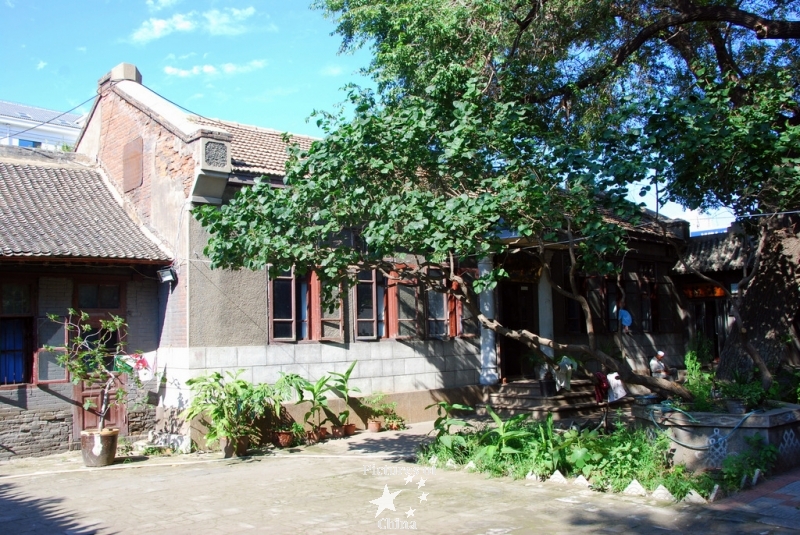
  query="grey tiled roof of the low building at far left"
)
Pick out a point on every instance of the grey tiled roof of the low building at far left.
point(66, 212)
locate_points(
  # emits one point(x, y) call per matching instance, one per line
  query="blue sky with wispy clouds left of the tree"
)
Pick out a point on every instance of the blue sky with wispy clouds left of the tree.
point(267, 63)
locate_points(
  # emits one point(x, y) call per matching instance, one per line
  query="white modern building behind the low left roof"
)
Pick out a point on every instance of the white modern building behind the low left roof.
point(38, 128)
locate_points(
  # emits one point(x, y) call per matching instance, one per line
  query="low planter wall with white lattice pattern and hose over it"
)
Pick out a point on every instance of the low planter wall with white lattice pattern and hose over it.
point(706, 442)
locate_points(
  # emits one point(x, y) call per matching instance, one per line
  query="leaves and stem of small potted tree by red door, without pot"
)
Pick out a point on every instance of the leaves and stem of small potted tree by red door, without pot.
point(97, 355)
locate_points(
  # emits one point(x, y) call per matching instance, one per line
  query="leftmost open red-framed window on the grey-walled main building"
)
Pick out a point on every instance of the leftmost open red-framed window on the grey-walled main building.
point(296, 310)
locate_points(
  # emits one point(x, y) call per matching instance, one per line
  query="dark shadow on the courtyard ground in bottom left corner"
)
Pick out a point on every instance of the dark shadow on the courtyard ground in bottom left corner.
point(24, 514)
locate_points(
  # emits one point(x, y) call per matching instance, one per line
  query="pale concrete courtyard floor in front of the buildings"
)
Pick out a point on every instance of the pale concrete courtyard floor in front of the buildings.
point(331, 487)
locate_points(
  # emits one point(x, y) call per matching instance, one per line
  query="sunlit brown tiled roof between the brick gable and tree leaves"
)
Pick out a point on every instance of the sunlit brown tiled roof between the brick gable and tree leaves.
point(258, 151)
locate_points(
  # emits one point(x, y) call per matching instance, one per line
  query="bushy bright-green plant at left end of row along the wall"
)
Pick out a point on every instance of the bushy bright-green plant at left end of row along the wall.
point(229, 407)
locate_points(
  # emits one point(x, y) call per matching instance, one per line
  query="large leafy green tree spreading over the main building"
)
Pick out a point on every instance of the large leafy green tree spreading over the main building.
point(524, 118)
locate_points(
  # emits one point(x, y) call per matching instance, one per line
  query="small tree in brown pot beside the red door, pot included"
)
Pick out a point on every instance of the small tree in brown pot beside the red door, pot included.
point(98, 356)
